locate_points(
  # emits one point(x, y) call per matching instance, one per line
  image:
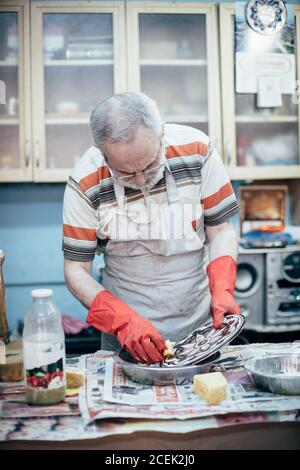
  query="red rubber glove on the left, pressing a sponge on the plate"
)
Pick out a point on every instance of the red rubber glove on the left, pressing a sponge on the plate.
point(136, 334)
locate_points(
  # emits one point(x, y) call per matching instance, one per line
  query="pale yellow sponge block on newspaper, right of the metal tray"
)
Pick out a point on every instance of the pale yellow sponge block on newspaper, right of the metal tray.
point(211, 387)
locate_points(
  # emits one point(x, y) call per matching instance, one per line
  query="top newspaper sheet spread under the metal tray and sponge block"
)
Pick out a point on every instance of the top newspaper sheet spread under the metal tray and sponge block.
point(108, 393)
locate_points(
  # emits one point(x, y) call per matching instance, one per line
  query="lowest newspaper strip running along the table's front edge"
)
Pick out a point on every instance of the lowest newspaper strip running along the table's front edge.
point(73, 428)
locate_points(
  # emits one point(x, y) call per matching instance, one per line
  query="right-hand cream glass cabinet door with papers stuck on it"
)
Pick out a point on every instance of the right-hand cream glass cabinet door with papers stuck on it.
point(259, 142)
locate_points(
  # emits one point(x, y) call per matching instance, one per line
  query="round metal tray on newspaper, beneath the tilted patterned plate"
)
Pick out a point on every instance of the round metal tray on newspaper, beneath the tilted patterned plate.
point(156, 375)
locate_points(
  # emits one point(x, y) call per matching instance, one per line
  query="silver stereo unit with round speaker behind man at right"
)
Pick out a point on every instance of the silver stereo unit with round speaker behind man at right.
point(268, 288)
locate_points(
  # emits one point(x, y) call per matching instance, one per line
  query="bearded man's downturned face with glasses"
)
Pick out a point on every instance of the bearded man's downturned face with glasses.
point(137, 164)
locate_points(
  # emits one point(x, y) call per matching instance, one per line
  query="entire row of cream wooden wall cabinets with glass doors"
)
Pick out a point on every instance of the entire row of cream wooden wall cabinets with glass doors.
point(59, 58)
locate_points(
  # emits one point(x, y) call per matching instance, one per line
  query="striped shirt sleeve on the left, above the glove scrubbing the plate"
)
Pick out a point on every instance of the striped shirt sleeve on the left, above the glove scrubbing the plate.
point(79, 224)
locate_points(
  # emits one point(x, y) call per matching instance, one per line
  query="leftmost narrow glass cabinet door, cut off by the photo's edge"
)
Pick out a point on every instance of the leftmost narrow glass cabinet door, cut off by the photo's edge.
point(14, 94)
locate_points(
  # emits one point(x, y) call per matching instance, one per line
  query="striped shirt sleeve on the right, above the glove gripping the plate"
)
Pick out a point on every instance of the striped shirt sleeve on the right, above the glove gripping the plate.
point(217, 196)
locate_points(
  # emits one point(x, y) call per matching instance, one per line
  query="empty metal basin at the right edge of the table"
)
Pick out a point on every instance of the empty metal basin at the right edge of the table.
point(276, 373)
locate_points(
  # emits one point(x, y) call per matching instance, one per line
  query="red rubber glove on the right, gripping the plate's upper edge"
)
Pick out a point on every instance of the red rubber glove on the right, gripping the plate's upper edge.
point(222, 276)
